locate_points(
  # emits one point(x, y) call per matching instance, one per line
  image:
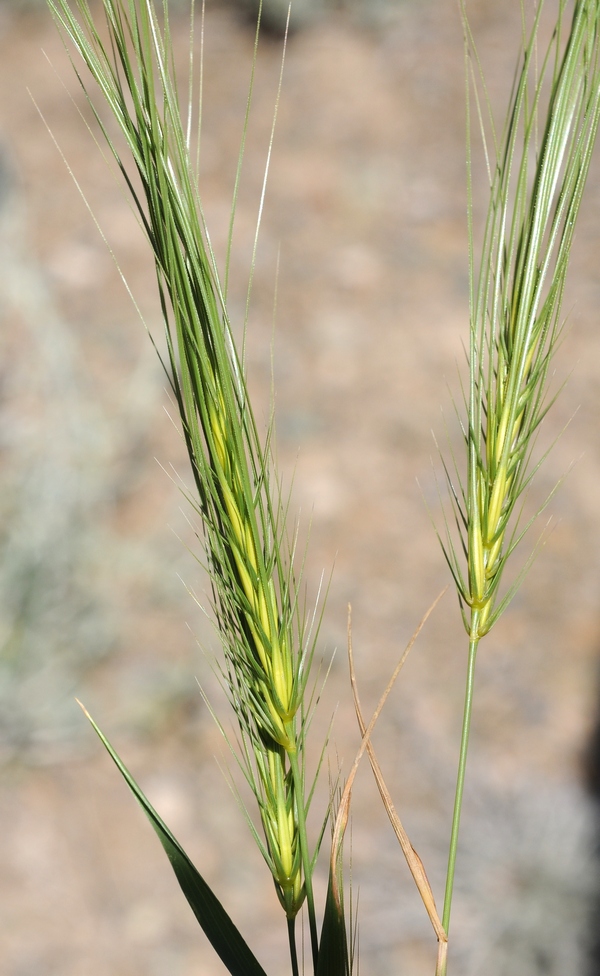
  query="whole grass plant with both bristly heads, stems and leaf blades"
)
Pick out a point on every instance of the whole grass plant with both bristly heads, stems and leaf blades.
point(537, 165)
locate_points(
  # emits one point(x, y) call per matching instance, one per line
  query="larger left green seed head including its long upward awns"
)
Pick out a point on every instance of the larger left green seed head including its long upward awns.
point(255, 592)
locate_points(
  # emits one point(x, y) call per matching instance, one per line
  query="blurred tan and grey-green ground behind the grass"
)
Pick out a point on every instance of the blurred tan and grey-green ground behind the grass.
point(360, 296)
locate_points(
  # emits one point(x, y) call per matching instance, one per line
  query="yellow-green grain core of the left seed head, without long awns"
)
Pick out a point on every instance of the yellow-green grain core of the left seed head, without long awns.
point(265, 687)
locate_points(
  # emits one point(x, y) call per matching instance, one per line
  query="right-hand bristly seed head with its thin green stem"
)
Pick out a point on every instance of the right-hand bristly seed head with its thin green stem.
point(515, 314)
